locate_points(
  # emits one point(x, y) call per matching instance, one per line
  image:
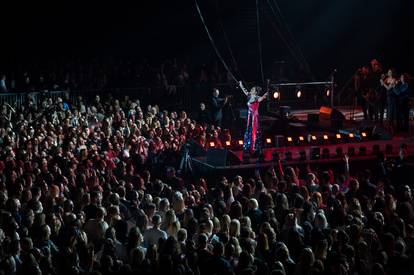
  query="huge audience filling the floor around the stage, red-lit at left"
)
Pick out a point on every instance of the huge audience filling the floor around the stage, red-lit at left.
point(92, 188)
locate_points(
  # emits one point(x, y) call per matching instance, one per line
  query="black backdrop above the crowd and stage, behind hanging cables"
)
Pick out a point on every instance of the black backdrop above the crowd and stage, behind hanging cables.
point(330, 33)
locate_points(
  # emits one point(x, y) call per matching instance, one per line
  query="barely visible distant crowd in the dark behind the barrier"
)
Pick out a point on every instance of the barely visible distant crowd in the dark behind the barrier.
point(105, 73)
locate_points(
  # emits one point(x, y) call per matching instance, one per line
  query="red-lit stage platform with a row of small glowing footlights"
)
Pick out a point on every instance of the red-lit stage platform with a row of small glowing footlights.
point(309, 151)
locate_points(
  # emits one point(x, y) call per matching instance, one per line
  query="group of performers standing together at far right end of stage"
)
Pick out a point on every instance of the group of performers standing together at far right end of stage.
point(383, 93)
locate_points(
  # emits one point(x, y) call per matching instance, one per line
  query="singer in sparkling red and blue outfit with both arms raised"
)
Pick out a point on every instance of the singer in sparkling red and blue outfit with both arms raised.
point(252, 134)
